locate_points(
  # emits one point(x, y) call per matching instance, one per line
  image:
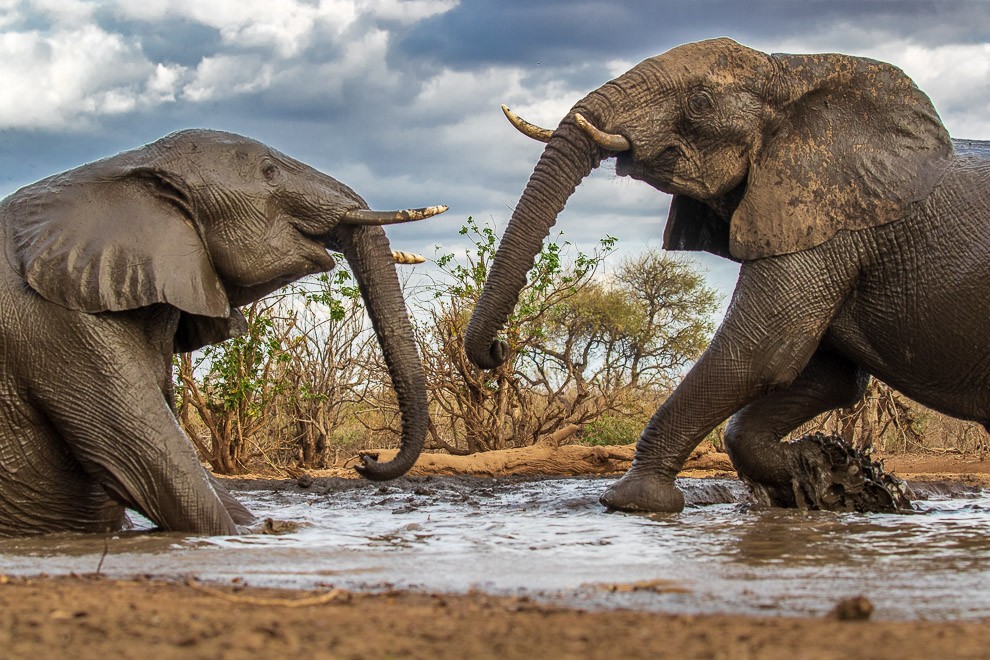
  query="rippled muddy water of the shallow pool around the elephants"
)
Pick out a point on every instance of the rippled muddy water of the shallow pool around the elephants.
point(551, 540)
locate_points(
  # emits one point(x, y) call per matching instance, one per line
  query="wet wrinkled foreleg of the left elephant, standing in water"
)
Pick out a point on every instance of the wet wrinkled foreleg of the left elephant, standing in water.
point(119, 426)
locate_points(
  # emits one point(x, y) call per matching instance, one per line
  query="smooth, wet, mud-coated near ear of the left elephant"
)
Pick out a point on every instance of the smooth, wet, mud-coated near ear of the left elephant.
point(106, 237)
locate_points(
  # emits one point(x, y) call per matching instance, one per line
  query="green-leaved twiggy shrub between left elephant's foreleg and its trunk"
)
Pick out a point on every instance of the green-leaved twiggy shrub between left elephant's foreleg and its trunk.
point(281, 389)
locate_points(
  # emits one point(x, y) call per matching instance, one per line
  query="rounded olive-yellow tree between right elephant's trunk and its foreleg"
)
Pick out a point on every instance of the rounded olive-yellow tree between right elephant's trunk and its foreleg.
point(618, 346)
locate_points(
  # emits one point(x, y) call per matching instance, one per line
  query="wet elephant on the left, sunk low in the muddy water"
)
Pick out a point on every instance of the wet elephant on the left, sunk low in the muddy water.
point(114, 266)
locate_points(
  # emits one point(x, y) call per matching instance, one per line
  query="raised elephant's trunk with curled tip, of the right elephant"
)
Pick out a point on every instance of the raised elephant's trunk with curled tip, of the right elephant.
point(568, 157)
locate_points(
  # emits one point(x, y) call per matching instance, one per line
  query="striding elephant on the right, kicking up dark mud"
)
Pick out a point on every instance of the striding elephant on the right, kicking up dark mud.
point(863, 237)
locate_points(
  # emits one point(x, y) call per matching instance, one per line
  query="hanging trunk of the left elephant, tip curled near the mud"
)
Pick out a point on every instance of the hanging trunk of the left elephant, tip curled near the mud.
point(368, 253)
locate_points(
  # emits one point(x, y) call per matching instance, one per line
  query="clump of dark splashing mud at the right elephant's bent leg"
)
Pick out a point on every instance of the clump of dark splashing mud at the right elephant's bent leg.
point(829, 475)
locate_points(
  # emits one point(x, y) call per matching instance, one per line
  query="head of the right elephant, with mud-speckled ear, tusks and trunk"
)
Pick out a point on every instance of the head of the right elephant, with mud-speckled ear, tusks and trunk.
point(765, 155)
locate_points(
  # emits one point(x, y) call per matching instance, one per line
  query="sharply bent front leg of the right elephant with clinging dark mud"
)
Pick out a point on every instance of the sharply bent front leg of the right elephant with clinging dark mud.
point(815, 471)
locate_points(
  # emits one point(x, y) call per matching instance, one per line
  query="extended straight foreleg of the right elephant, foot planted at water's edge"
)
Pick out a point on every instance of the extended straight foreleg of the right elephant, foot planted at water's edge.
point(779, 312)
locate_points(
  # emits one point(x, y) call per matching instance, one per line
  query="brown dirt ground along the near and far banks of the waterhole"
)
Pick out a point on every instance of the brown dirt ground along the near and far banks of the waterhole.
point(92, 617)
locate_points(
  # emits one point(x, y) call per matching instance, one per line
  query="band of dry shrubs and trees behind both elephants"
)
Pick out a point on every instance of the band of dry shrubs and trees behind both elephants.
point(307, 387)
